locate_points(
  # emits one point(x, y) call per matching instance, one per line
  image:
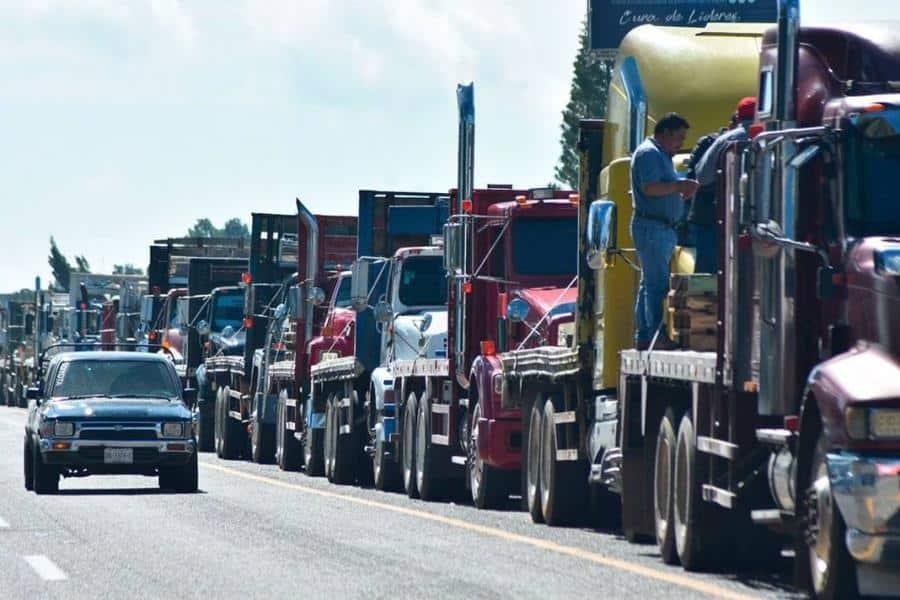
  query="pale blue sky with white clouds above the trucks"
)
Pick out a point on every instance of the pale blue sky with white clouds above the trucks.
point(125, 121)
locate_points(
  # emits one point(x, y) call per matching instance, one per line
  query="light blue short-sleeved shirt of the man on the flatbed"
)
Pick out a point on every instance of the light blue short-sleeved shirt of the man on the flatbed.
point(651, 164)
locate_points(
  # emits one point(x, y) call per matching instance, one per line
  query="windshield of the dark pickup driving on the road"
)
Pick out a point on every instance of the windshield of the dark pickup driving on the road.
point(112, 378)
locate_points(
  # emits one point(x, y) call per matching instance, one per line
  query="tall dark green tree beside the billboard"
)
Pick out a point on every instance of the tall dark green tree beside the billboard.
point(587, 99)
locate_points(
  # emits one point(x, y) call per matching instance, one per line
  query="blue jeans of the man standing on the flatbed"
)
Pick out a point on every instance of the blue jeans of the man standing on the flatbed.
point(655, 242)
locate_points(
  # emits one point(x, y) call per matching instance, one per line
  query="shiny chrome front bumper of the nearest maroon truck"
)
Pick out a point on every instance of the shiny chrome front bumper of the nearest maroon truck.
point(867, 491)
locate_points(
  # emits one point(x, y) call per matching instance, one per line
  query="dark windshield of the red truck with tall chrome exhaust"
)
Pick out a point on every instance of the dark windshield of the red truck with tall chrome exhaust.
point(546, 246)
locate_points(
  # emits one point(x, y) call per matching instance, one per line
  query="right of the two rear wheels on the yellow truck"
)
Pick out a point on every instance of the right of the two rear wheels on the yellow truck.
point(559, 486)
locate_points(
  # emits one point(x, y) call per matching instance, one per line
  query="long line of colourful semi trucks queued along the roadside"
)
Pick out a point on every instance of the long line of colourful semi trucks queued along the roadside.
point(481, 341)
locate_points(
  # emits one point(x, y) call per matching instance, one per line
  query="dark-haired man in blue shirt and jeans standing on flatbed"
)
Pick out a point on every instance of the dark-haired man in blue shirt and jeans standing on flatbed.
point(658, 194)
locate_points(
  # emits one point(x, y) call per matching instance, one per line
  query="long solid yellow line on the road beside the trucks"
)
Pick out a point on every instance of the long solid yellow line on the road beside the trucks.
point(684, 581)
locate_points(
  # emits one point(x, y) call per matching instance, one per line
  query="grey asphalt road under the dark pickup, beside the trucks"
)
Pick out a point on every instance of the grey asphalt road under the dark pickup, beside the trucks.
point(254, 531)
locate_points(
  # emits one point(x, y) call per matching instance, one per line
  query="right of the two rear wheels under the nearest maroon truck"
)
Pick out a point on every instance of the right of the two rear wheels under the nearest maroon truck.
point(699, 534)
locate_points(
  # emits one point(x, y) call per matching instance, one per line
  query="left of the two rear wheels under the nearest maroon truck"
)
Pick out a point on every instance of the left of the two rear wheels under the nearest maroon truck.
point(663, 502)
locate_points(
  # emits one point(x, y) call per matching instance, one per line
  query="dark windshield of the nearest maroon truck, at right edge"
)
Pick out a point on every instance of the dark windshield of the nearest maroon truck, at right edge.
point(875, 209)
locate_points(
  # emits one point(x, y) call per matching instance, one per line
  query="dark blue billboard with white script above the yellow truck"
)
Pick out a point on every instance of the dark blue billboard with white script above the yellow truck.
point(610, 20)
